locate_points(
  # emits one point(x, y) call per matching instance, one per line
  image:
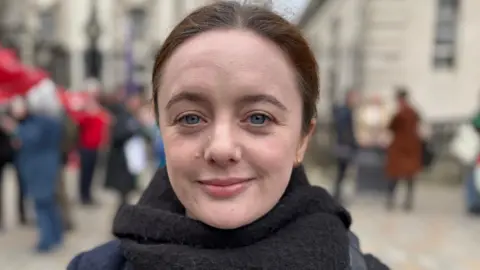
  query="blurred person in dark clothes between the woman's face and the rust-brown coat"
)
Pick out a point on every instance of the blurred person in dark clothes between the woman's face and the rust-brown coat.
point(346, 143)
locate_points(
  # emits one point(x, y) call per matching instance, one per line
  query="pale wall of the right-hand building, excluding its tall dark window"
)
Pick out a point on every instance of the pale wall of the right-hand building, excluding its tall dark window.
point(398, 39)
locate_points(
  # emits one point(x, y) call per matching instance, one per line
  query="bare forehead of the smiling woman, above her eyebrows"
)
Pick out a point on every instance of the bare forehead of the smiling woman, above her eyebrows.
point(226, 56)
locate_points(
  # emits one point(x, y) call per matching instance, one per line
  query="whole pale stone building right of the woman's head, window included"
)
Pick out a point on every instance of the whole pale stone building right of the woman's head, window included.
point(428, 46)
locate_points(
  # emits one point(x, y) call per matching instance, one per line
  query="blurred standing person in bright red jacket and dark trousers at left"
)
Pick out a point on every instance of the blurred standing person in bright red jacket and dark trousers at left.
point(92, 126)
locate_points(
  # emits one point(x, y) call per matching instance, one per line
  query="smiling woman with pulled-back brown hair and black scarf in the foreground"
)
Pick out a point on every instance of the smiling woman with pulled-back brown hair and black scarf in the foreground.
point(234, 194)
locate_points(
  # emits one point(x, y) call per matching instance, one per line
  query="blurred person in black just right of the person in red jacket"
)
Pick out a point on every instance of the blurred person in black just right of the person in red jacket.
point(125, 126)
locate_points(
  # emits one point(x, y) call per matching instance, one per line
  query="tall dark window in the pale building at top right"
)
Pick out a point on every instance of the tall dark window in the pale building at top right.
point(446, 34)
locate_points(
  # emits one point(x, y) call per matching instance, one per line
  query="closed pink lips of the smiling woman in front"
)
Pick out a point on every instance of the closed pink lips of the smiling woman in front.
point(225, 188)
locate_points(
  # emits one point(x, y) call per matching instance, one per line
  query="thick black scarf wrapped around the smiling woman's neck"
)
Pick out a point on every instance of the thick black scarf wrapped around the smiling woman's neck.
point(305, 230)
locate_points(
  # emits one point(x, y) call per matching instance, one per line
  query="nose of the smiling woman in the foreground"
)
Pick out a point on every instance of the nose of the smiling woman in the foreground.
point(221, 147)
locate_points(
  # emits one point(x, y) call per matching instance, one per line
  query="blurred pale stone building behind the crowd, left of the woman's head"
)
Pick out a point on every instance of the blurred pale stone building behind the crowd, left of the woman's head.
point(54, 35)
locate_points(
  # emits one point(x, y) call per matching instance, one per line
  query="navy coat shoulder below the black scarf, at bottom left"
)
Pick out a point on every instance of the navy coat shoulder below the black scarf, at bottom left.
point(105, 257)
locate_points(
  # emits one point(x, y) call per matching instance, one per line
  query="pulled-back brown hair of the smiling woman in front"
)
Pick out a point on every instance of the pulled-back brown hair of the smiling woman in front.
point(227, 15)
